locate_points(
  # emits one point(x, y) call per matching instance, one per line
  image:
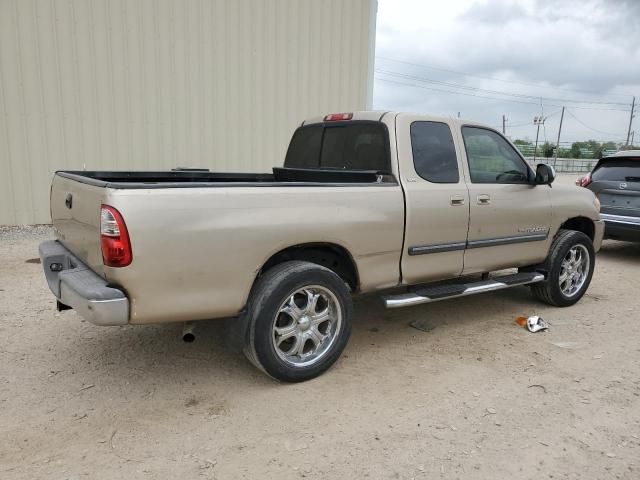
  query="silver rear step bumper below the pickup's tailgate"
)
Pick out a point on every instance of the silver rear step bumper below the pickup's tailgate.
point(77, 286)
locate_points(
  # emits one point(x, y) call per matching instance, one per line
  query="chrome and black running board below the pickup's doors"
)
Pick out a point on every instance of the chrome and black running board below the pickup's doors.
point(443, 292)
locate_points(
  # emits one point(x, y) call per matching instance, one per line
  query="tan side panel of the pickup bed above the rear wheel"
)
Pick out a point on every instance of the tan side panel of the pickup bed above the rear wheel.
point(197, 251)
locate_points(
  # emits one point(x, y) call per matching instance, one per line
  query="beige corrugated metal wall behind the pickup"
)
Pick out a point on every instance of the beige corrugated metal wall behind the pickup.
point(155, 84)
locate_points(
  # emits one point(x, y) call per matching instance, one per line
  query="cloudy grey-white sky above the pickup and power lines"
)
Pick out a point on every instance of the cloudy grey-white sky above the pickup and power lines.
point(521, 59)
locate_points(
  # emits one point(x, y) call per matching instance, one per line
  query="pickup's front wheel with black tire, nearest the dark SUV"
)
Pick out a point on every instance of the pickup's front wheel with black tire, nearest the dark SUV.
point(569, 268)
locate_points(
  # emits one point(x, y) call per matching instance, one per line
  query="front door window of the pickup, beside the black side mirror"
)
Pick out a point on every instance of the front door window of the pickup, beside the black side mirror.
point(492, 159)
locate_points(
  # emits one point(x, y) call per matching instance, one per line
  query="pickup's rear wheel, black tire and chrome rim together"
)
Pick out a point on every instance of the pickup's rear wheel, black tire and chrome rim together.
point(299, 321)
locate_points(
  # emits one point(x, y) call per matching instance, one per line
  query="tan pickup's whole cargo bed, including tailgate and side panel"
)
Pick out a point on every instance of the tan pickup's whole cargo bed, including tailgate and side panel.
point(197, 251)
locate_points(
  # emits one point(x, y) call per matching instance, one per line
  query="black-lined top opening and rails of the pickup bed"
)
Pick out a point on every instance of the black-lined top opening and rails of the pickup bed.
point(204, 178)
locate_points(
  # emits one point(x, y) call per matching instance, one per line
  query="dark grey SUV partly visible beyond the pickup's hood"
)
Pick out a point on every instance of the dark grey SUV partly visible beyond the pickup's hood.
point(616, 182)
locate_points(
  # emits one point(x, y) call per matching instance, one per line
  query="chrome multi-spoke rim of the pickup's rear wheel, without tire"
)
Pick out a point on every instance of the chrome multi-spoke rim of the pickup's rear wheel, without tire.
point(306, 325)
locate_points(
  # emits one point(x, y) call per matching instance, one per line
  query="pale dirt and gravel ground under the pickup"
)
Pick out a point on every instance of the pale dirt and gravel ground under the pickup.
point(476, 397)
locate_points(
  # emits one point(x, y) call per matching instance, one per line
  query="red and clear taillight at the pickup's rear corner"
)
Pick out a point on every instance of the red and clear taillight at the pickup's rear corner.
point(114, 238)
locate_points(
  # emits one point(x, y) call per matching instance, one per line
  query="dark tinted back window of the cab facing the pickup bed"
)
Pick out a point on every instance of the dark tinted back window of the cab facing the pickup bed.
point(353, 145)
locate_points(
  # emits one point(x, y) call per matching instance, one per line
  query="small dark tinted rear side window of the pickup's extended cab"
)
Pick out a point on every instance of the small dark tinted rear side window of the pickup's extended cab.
point(434, 154)
